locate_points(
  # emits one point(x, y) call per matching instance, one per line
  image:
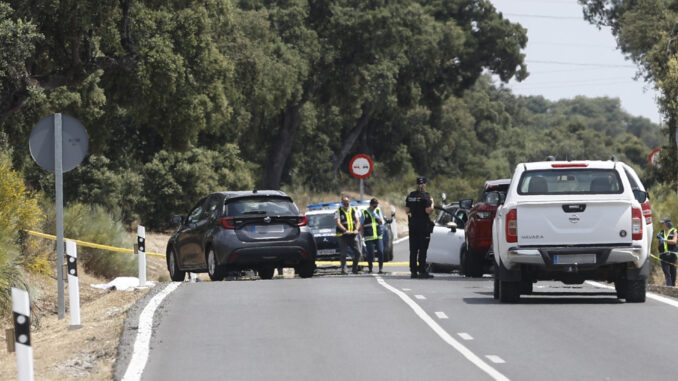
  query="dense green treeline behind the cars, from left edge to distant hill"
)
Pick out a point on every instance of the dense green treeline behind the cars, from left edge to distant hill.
point(184, 97)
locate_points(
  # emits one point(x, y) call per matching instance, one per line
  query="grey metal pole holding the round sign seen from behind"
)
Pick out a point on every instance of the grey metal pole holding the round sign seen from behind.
point(59, 187)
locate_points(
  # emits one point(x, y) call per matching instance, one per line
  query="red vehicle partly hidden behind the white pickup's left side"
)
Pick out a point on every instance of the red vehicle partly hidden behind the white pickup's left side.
point(476, 259)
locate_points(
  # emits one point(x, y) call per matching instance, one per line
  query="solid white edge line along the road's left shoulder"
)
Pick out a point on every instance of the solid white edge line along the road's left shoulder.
point(143, 341)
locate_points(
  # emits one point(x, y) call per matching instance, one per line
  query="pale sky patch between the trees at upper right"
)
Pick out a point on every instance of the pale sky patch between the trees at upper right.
point(566, 57)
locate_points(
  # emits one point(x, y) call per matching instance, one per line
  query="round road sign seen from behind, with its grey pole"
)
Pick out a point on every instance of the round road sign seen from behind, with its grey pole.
point(58, 143)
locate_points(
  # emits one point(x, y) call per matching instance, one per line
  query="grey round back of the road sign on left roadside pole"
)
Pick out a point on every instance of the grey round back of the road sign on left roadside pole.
point(74, 142)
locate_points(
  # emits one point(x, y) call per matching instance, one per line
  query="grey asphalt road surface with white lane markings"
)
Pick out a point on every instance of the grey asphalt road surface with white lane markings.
point(366, 327)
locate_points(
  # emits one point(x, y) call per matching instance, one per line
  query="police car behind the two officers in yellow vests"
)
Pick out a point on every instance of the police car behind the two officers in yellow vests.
point(322, 224)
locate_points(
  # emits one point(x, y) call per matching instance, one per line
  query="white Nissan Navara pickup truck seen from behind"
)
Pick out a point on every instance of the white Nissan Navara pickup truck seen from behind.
point(572, 221)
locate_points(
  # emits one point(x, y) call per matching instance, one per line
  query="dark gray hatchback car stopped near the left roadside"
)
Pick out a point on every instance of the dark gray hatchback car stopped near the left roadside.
point(233, 231)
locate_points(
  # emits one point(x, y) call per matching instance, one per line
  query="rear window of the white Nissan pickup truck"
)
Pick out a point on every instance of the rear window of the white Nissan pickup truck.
point(570, 181)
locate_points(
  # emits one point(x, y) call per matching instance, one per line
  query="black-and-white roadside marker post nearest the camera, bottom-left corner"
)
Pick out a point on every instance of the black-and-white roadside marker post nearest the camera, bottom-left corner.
point(22, 334)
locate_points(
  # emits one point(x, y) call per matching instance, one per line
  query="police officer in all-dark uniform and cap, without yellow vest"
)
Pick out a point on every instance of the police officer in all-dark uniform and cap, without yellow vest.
point(418, 206)
